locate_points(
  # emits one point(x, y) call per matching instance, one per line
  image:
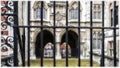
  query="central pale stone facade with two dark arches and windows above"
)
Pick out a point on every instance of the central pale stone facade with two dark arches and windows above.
point(60, 21)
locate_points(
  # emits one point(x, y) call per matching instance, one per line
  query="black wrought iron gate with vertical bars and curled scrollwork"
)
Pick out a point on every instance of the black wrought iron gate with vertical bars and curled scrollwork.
point(10, 15)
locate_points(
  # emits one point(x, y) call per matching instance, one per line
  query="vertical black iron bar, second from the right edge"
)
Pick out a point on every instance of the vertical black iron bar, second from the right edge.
point(102, 51)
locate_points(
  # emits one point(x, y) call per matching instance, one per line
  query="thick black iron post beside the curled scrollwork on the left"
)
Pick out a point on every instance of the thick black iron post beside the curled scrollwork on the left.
point(15, 36)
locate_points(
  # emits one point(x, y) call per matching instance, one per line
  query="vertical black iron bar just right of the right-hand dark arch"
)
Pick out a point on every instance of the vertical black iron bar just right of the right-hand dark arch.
point(79, 63)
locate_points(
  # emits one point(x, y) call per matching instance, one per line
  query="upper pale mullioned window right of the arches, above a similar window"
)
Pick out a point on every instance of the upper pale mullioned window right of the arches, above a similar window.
point(97, 13)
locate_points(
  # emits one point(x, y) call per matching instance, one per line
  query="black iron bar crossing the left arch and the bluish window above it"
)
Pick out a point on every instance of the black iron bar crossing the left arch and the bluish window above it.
point(41, 35)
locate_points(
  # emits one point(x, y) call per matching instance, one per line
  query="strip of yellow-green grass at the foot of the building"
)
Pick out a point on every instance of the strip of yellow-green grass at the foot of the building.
point(61, 63)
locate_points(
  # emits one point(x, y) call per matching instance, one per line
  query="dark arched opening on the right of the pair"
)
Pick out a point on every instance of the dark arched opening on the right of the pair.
point(72, 42)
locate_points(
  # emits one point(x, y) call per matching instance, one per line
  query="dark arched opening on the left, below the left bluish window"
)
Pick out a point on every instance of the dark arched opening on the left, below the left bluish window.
point(47, 38)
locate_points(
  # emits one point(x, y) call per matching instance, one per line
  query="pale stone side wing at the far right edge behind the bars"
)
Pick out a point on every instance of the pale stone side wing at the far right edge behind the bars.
point(109, 33)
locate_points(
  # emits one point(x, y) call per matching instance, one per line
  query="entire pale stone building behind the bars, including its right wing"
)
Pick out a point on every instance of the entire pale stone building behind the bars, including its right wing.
point(60, 44)
